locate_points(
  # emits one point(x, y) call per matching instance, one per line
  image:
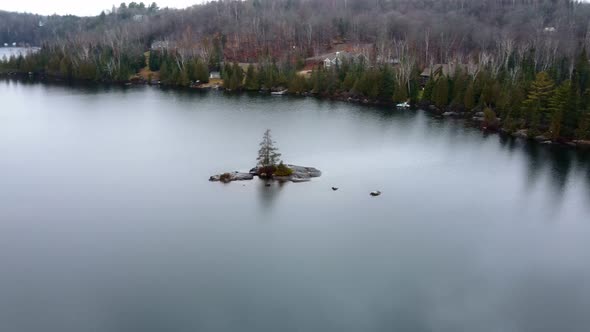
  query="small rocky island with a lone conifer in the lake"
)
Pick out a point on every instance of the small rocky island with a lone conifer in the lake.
point(269, 167)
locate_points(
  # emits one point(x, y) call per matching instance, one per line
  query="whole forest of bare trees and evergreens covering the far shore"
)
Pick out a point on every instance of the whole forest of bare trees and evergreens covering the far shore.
point(514, 64)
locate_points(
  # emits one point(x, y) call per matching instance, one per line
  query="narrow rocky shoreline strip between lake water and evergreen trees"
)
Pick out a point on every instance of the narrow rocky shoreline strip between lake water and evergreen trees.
point(467, 116)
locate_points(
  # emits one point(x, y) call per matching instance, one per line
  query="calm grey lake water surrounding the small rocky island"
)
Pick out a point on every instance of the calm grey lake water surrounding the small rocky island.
point(108, 222)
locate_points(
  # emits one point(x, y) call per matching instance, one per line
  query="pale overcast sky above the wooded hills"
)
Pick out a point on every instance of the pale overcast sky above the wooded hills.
point(79, 7)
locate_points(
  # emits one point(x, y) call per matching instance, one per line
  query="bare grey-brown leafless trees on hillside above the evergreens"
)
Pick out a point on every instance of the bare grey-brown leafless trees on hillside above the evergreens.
point(434, 31)
